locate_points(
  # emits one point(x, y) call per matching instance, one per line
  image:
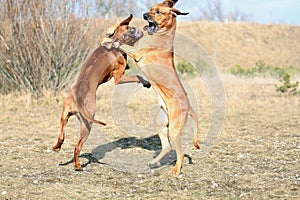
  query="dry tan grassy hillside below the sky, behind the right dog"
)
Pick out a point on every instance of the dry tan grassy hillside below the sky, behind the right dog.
point(246, 43)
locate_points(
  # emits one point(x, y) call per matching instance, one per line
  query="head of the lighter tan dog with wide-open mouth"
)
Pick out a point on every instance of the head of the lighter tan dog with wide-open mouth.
point(162, 16)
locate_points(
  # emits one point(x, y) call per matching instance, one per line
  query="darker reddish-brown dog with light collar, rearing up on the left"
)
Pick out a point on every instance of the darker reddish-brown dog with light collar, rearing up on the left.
point(99, 68)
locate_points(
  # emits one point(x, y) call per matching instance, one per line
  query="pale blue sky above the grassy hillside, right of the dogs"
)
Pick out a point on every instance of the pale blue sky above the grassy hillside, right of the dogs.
point(262, 11)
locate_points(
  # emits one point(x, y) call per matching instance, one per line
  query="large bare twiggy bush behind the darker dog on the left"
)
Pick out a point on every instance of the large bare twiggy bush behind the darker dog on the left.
point(41, 45)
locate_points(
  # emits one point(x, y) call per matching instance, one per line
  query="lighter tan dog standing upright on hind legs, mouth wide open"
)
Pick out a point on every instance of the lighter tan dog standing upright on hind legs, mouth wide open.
point(155, 56)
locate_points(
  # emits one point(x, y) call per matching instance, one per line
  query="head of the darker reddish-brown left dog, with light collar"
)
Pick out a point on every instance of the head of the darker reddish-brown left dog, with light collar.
point(121, 34)
